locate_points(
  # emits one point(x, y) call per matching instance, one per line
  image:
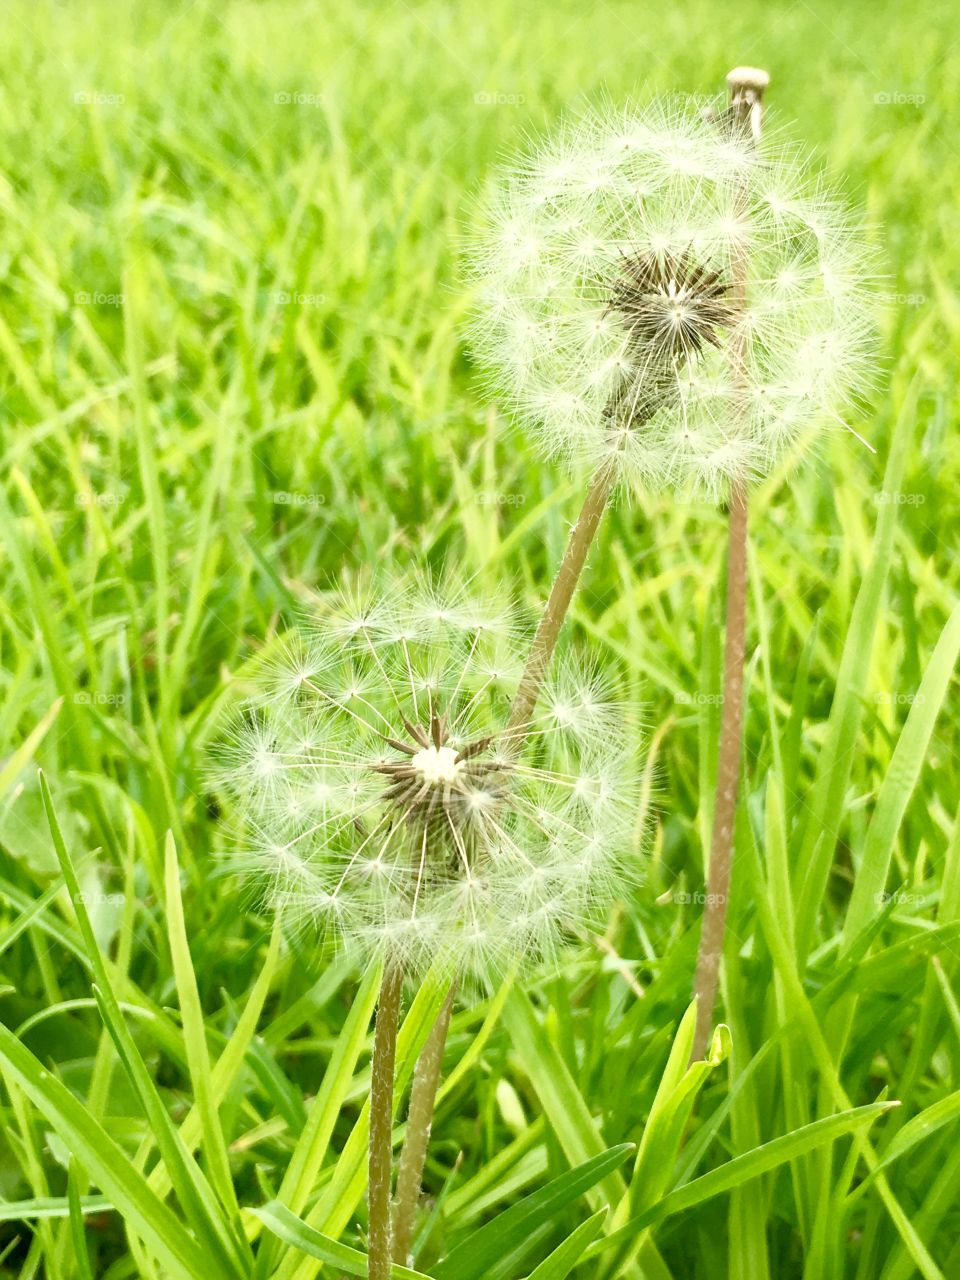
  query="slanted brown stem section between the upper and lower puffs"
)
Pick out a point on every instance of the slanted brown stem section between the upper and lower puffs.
point(565, 584)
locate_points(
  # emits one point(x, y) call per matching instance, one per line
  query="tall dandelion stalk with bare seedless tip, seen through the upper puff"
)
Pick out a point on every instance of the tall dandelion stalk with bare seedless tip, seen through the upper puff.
point(747, 86)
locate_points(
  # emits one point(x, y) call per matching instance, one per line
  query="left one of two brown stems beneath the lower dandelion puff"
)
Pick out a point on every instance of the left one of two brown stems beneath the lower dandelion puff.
point(382, 1124)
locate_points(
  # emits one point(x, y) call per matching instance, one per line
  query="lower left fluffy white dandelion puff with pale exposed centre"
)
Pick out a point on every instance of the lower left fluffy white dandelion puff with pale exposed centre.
point(382, 798)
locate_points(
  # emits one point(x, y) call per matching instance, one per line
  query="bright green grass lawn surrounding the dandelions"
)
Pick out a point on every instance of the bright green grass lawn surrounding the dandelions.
point(232, 371)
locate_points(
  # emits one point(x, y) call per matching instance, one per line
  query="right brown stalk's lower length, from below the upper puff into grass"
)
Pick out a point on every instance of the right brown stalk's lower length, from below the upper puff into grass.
point(728, 778)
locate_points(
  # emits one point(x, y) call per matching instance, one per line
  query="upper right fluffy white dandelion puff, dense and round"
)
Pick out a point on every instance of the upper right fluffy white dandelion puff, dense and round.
point(609, 313)
